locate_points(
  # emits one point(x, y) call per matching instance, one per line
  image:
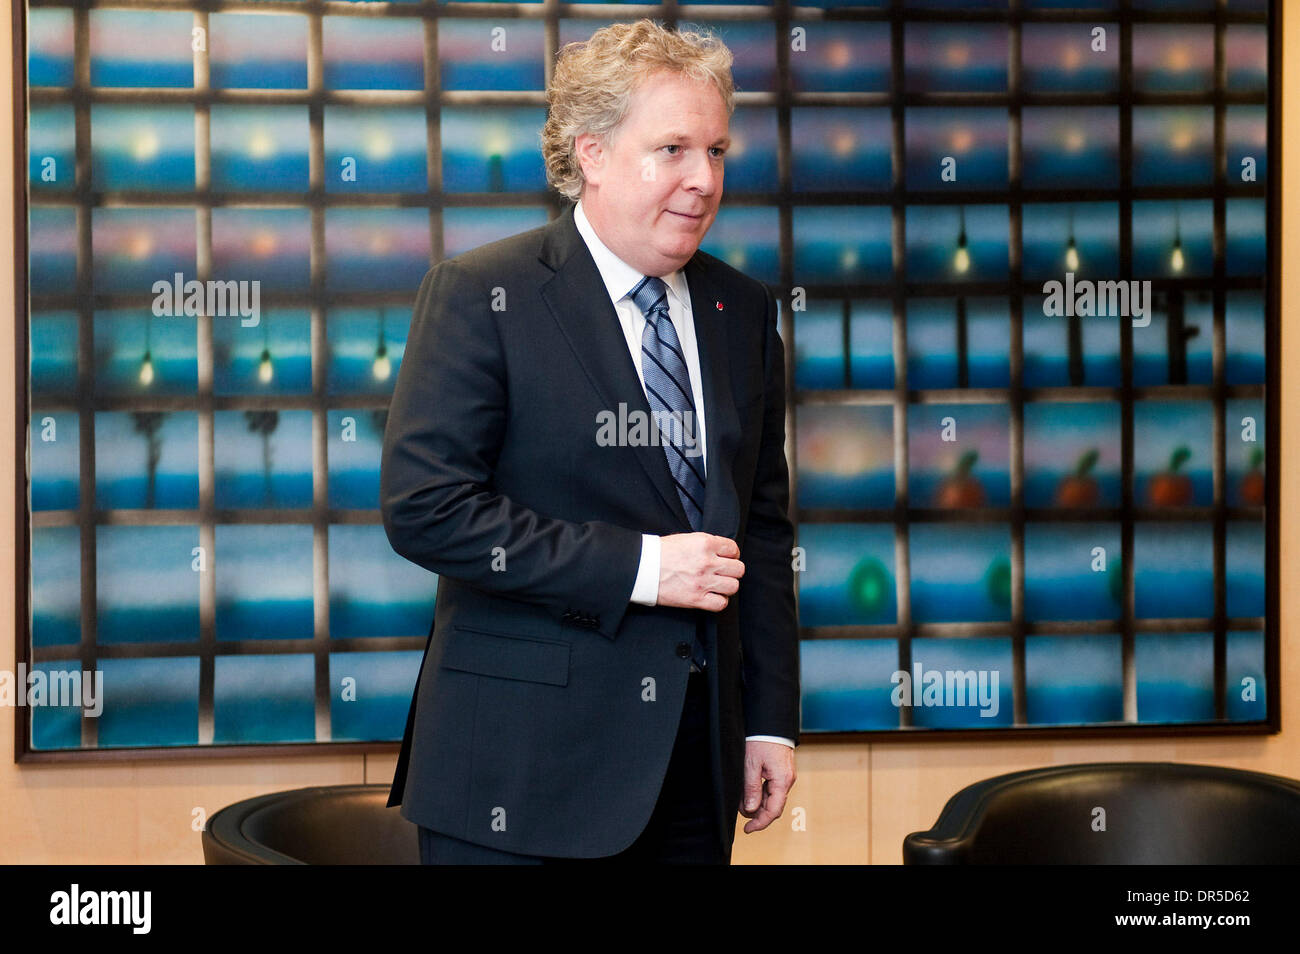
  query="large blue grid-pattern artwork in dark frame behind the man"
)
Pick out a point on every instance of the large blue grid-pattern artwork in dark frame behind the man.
point(1055, 493)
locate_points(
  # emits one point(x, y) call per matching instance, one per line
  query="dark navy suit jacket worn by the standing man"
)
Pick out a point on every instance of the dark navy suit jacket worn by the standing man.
point(548, 704)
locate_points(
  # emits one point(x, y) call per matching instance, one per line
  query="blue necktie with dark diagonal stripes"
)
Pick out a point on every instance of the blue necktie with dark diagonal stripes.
point(669, 391)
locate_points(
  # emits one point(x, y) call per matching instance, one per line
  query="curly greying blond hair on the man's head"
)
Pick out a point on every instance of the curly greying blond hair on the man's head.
point(592, 88)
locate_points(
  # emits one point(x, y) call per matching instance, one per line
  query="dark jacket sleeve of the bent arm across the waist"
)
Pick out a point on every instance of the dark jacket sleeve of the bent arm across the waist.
point(443, 440)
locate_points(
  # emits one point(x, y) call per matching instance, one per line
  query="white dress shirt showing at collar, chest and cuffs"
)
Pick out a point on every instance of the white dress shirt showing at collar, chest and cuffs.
point(619, 280)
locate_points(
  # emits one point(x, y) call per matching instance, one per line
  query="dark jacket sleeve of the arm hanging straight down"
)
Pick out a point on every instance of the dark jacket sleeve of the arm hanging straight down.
point(769, 623)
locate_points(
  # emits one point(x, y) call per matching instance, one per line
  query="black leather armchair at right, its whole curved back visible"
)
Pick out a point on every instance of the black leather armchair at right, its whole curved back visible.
point(1156, 813)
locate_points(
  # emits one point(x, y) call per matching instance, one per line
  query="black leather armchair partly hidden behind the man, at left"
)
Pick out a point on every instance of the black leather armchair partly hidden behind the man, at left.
point(332, 825)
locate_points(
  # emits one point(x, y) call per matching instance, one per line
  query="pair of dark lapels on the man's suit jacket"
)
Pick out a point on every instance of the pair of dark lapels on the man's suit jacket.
point(582, 307)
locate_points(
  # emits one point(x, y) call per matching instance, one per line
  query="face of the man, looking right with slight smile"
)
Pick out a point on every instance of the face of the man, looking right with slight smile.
point(653, 190)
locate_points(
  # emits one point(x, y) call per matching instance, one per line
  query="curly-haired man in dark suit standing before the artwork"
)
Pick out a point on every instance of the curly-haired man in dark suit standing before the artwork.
point(587, 444)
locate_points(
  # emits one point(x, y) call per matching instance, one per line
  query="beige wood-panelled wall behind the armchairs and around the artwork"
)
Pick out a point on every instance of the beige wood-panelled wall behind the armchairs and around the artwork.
point(859, 800)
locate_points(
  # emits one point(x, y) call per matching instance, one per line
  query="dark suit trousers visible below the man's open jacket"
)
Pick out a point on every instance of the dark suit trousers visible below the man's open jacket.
point(682, 829)
